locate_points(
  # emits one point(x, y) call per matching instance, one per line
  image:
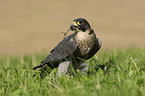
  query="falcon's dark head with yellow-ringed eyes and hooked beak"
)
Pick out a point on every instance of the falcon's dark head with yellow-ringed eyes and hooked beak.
point(80, 24)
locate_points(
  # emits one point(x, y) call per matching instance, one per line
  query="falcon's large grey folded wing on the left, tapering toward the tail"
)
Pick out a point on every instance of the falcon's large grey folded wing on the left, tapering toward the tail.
point(64, 49)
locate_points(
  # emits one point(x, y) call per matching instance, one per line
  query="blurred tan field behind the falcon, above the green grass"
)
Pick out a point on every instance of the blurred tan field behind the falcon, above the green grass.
point(30, 26)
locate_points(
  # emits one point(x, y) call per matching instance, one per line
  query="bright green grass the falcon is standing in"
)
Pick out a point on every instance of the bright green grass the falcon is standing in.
point(127, 79)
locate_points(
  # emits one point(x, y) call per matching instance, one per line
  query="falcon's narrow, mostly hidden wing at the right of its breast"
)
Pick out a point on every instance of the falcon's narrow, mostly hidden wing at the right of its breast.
point(95, 49)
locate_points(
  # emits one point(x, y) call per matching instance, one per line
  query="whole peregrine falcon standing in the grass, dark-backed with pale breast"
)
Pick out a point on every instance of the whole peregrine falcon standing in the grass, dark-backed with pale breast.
point(73, 49)
